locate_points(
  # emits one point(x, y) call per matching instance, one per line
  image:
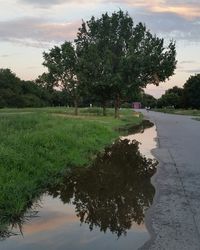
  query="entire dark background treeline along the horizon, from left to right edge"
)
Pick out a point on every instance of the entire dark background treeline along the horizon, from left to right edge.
point(17, 93)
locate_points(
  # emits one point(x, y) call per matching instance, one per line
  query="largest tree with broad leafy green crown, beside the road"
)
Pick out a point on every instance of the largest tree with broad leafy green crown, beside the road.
point(117, 57)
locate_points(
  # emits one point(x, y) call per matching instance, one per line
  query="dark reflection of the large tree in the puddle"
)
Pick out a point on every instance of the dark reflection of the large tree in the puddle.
point(114, 192)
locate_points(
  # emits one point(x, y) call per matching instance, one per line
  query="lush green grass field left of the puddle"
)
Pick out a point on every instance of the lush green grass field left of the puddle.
point(37, 144)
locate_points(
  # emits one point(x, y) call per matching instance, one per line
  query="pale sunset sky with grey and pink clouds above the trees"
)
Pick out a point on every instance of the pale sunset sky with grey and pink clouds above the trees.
point(30, 27)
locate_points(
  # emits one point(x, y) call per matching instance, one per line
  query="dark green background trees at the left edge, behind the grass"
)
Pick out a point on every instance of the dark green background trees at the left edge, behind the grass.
point(15, 92)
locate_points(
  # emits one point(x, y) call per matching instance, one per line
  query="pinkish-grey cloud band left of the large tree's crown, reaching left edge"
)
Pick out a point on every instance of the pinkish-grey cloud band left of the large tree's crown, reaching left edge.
point(37, 32)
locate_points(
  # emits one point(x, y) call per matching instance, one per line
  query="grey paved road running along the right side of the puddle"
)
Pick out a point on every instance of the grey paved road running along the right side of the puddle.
point(174, 218)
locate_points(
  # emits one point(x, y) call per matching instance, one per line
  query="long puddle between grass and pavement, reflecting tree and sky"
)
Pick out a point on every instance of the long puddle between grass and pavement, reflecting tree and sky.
point(100, 207)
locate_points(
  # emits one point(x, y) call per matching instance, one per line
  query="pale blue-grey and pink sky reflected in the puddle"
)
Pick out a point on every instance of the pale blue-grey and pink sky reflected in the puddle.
point(58, 227)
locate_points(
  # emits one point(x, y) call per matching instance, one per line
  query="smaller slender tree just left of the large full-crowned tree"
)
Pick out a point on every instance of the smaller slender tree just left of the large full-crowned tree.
point(62, 70)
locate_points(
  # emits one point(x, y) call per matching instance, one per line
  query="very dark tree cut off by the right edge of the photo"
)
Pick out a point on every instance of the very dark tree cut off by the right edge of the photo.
point(192, 91)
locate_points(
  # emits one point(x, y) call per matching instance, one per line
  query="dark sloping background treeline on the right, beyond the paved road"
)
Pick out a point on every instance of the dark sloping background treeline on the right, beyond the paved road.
point(186, 97)
